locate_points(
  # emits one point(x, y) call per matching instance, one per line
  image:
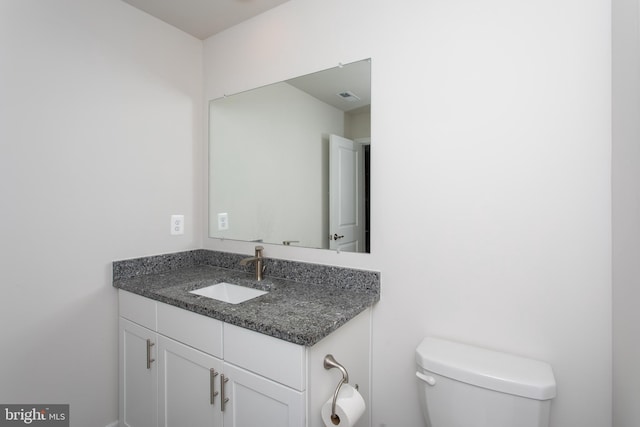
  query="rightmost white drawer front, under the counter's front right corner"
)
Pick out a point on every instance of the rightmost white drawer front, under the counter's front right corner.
point(276, 359)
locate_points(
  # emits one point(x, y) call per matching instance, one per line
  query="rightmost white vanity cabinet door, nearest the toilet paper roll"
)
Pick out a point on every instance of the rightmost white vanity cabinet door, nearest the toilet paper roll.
point(257, 401)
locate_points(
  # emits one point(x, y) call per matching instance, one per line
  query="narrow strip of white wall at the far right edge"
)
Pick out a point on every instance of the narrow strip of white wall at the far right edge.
point(626, 212)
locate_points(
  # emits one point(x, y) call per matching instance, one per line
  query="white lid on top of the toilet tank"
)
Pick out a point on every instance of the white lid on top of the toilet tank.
point(486, 368)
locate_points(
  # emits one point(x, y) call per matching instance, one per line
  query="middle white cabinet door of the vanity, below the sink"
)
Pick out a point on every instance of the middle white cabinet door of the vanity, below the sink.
point(189, 394)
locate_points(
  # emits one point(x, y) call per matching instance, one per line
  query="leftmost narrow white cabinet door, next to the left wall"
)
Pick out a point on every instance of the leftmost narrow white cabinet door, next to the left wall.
point(138, 376)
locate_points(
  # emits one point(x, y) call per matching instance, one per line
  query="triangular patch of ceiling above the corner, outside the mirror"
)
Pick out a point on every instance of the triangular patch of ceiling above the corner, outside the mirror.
point(204, 18)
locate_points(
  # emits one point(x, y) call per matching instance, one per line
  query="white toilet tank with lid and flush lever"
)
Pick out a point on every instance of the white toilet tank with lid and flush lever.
point(465, 386)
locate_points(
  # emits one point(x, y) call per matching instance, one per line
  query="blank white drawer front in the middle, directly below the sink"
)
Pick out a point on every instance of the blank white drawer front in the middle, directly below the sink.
point(195, 330)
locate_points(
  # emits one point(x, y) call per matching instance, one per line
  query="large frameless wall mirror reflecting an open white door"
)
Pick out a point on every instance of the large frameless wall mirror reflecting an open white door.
point(289, 162)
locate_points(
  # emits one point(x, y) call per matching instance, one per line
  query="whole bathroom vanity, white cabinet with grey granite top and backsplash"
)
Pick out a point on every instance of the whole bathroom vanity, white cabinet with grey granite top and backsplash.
point(186, 359)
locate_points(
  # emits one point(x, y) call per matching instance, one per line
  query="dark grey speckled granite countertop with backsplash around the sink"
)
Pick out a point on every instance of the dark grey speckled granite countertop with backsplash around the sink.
point(305, 303)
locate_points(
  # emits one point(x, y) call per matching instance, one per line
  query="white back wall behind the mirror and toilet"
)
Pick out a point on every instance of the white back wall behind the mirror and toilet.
point(491, 185)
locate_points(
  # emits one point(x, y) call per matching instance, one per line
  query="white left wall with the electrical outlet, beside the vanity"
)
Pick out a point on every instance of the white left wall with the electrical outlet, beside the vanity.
point(100, 142)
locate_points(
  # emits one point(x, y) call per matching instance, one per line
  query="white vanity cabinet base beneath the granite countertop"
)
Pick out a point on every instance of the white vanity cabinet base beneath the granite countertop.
point(182, 369)
